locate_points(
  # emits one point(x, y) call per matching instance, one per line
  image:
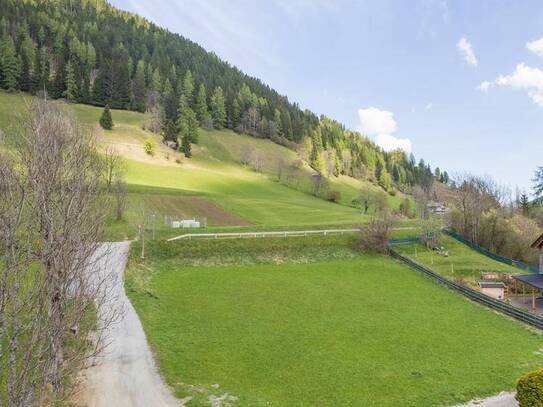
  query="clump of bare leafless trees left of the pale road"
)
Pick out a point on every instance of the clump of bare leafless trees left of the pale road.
point(50, 246)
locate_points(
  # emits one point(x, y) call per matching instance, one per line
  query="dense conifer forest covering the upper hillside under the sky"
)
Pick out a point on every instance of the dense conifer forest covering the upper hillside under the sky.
point(87, 51)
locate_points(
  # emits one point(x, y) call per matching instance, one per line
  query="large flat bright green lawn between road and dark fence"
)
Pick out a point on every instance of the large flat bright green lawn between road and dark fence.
point(364, 332)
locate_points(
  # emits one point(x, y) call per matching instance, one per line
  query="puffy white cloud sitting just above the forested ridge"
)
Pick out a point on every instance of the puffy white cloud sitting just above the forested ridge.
point(381, 124)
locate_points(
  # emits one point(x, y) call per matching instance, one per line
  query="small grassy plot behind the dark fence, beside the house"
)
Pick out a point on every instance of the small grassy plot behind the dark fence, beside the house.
point(462, 262)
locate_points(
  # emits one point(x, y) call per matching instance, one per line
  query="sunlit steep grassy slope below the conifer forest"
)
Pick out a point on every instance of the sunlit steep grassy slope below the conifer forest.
point(214, 174)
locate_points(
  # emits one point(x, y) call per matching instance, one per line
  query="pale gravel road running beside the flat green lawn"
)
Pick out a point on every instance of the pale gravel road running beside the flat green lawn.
point(126, 375)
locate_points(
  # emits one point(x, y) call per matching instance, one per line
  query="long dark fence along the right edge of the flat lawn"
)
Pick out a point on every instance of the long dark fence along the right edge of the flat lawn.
point(472, 294)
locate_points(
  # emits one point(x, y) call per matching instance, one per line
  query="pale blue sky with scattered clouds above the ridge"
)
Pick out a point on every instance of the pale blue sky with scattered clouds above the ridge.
point(460, 83)
